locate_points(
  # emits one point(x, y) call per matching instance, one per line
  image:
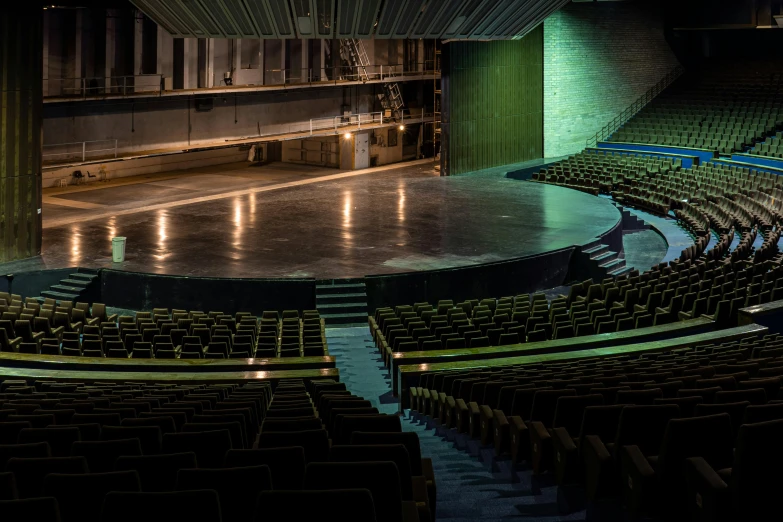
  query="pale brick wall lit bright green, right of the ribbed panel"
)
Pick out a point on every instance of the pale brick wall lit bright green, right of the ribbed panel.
point(598, 59)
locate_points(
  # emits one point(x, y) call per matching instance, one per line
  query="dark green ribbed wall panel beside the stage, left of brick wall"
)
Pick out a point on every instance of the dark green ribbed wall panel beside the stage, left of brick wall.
point(492, 108)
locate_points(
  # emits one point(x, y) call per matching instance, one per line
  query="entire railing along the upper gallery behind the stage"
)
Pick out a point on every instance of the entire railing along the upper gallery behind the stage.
point(158, 84)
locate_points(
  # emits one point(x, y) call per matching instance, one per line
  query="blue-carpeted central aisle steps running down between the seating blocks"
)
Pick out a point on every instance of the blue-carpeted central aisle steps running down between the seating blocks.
point(468, 490)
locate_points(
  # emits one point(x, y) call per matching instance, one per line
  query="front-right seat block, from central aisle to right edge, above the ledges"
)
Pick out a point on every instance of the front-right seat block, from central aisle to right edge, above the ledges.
point(681, 290)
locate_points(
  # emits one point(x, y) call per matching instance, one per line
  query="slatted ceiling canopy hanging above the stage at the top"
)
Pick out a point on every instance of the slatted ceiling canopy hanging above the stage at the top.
point(445, 19)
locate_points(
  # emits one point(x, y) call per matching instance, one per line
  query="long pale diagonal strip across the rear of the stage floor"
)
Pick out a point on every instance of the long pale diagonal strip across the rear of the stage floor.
point(203, 199)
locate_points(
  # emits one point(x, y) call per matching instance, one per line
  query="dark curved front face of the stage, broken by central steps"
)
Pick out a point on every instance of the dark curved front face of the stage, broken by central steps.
point(144, 291)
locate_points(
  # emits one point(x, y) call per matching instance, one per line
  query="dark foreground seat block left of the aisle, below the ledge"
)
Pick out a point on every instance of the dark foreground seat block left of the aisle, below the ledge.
point(230, 452)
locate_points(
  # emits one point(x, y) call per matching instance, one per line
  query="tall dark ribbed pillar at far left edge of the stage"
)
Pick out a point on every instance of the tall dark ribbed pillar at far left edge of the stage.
point(21, 81)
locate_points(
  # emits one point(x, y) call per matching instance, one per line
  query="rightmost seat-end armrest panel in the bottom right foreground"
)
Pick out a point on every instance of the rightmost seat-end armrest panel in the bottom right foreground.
point(706, 491)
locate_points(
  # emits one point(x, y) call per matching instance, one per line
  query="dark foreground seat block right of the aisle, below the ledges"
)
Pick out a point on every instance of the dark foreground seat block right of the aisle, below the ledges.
point(670, 434)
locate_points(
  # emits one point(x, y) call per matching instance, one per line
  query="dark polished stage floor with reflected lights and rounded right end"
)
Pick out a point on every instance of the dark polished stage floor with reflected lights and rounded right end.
point(287, 220)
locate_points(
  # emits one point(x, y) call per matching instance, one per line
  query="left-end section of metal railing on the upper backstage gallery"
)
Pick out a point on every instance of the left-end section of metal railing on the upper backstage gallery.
point(103, 86)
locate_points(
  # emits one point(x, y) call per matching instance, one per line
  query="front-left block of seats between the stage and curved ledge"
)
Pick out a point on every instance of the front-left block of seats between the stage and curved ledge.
point(160, 334)
